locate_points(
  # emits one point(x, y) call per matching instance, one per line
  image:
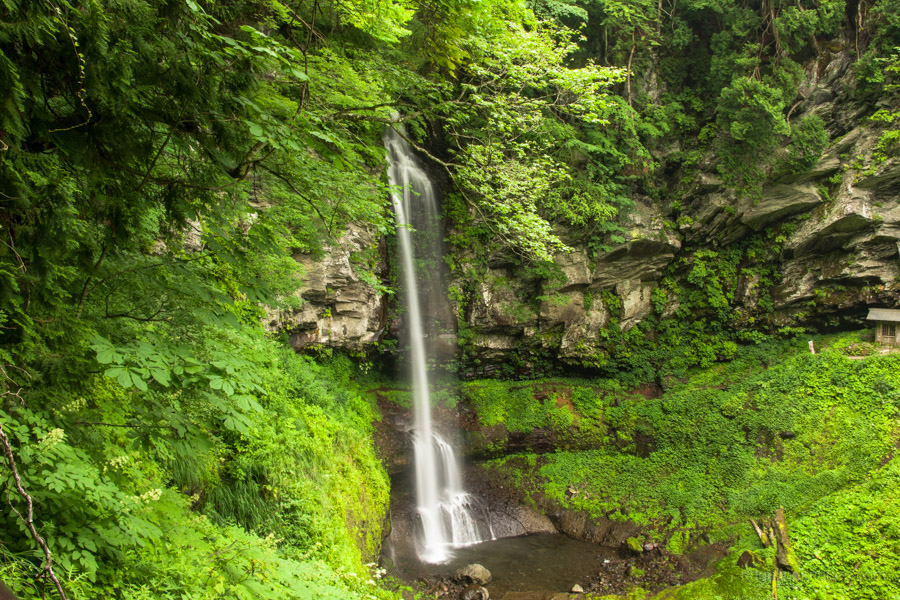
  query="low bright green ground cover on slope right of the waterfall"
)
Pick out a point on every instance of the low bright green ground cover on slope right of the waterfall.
point(777, 426)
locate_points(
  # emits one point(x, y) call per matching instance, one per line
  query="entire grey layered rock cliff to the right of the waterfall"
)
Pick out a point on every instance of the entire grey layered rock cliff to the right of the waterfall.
point(834, 234)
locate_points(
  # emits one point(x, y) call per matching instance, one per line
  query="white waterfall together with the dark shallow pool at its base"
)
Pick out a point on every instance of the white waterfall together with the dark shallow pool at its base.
point(443, 533)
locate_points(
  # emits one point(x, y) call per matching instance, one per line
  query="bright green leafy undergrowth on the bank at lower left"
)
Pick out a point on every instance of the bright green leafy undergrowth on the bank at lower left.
point(132, 507)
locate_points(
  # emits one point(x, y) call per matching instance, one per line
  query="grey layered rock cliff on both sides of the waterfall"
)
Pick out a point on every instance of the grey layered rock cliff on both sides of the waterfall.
point(836, 226)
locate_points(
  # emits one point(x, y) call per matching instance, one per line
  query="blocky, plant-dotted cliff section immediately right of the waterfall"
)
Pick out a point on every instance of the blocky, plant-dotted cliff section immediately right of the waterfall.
point(501, 315)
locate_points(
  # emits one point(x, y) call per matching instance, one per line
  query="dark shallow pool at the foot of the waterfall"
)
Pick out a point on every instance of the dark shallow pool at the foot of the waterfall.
point(536, 565)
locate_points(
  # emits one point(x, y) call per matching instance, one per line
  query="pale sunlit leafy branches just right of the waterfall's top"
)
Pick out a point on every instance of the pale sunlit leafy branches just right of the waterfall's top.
point(518, 81)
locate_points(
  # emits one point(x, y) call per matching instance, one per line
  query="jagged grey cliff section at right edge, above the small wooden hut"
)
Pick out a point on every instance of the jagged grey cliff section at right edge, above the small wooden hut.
point(841, 252)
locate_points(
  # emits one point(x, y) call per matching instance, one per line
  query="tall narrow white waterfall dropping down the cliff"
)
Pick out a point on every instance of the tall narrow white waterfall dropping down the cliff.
point(443, 505)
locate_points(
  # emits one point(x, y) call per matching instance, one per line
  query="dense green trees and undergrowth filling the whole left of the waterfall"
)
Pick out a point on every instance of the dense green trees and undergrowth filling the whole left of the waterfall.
point(160, 162)
